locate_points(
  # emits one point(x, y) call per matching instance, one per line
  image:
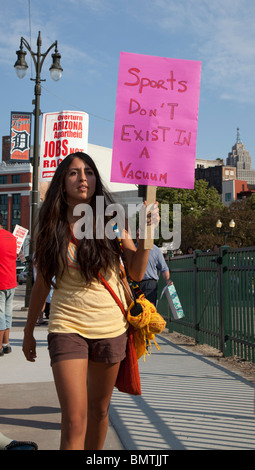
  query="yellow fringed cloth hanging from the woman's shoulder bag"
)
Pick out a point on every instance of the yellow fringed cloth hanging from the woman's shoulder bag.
point(148, 323)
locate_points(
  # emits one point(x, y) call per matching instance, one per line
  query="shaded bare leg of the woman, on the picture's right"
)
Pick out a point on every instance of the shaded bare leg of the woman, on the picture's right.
point(101, 381)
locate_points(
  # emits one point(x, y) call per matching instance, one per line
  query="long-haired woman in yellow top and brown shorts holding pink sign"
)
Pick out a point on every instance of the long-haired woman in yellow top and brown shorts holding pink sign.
point(87, 330)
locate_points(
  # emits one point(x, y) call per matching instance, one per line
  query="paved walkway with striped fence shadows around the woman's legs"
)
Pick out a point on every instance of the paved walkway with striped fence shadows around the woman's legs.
point(188, 403)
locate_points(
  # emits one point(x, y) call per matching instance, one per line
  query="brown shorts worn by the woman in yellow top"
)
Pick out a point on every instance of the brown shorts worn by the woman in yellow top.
point(63, 346)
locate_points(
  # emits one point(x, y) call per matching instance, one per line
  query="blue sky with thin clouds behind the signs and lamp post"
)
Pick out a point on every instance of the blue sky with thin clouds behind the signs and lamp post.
point(92, 33)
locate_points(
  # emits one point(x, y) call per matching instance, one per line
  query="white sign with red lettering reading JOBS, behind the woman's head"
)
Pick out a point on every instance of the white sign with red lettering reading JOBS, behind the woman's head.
point(62, 133)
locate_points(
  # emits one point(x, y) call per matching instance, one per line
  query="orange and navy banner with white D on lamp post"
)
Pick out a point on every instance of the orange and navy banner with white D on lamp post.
point(20, 136)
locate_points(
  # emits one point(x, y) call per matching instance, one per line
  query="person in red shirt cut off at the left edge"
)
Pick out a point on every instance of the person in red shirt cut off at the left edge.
point(8, 283)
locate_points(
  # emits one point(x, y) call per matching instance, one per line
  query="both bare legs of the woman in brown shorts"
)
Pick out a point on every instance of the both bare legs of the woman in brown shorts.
point(84, 390)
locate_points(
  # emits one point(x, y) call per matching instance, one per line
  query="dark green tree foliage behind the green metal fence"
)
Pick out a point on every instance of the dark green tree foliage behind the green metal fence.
point(200, 209)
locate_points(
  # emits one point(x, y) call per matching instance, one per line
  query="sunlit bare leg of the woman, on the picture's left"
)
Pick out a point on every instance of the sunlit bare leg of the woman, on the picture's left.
point(71, 383)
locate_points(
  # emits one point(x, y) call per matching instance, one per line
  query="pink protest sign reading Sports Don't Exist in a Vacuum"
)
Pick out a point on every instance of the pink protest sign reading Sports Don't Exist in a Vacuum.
point(156, 121)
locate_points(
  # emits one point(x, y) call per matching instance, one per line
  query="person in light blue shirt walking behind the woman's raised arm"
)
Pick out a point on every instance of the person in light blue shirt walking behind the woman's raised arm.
point(156, 266)
